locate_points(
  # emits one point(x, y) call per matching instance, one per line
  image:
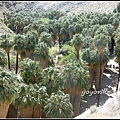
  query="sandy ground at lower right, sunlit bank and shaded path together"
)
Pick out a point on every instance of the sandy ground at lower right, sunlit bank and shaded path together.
point(109, 99)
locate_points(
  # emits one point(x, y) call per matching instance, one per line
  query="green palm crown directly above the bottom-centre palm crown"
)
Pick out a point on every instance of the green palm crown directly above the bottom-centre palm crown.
point(52, 79)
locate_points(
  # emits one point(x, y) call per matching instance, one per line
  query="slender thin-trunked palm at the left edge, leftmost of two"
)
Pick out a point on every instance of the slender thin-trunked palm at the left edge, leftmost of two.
point(6, 44)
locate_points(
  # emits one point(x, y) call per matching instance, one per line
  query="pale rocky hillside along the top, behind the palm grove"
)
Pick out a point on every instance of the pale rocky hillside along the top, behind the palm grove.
point(69, 6)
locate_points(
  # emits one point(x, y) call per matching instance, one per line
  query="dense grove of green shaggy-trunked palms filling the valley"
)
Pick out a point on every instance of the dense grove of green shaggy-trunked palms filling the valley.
point(49, 58)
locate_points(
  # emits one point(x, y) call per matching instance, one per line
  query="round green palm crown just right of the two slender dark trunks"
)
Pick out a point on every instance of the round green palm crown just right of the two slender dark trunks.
point(29, 71)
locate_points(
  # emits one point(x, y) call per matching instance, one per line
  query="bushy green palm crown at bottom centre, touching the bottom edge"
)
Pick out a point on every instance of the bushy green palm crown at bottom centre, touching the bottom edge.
point(58, 106)
